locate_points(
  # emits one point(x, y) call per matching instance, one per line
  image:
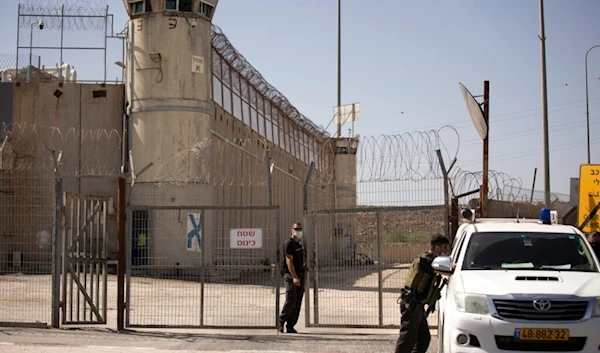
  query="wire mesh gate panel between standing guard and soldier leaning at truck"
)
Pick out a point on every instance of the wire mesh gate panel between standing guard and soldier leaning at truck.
point(358, 259)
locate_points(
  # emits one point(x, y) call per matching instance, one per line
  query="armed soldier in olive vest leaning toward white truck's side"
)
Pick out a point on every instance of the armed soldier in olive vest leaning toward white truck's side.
point(422, 286)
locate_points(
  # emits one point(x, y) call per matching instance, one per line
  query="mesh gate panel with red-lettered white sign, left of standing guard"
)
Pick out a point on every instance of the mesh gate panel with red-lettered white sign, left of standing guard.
point(203, 266)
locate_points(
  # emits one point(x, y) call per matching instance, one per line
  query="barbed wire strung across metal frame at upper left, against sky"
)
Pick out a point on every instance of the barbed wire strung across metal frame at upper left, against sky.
point(79, 15)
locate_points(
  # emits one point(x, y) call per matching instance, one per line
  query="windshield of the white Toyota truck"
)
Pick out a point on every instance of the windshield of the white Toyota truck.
point(528, 251)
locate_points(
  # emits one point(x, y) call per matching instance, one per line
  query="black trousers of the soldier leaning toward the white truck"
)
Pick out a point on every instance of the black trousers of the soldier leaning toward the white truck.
point(414, 332)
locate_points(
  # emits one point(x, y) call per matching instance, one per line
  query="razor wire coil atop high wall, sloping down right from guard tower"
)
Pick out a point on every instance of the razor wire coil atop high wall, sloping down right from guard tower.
point(232, 57)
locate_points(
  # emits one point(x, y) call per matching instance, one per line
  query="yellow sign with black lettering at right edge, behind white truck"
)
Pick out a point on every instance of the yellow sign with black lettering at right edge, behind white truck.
point(589, 196)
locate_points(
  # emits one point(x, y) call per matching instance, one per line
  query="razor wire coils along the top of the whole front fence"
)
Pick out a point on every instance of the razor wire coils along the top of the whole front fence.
point(242, 162)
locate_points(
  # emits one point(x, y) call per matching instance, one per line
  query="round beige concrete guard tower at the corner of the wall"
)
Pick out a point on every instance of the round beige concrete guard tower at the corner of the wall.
point(169, 112)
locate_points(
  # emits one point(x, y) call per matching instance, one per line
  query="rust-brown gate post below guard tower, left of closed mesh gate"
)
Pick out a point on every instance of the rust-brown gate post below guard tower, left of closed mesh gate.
point(121, 249)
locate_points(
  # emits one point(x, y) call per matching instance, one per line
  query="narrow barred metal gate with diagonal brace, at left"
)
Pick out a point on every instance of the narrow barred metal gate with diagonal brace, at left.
point(84, 270)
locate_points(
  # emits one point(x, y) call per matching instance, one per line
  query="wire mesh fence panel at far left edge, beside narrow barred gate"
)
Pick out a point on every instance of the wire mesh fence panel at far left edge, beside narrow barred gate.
point(26, 220)
